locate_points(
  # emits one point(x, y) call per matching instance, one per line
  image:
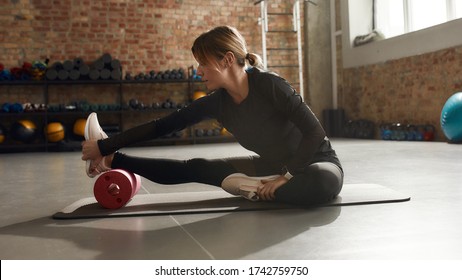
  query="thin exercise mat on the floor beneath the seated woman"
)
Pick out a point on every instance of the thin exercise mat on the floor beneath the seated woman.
point(217, 201)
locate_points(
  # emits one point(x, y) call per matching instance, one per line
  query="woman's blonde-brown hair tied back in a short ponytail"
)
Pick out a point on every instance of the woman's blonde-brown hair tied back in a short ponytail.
point(215, 43)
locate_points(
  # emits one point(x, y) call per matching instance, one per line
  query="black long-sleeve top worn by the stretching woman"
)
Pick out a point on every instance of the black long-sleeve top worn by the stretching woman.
point(272, 121)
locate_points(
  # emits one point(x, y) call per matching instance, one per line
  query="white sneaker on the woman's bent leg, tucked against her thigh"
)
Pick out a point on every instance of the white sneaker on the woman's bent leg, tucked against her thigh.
point(243, 185)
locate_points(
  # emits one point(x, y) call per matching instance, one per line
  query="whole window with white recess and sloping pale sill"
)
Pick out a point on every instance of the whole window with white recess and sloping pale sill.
point(357, 20)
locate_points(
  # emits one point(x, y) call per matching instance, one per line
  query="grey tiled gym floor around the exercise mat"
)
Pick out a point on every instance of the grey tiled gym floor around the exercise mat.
point(34, 186)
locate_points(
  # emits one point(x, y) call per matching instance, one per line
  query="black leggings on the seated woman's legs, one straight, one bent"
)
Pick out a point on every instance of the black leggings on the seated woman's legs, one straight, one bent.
point(319, 183)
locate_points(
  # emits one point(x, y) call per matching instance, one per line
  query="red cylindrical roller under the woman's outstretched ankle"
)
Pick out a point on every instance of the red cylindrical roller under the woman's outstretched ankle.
point(115, 188)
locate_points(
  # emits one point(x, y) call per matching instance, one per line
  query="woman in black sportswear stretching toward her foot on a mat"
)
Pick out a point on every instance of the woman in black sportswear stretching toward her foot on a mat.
point(261, 110)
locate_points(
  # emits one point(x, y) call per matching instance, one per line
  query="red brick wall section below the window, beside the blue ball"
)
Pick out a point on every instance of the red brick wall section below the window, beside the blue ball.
point(410, 90)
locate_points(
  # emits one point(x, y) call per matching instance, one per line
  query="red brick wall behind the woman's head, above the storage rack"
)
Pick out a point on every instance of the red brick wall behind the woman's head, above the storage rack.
point(143, 34)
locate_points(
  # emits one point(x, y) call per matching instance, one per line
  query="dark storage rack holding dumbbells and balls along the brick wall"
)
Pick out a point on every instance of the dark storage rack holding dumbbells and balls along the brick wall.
point(48, 93)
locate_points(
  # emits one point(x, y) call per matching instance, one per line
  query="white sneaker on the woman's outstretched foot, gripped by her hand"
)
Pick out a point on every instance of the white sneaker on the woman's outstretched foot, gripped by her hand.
point(93, 131)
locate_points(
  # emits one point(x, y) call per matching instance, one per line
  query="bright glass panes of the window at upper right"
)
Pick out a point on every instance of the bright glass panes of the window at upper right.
point(396, 17)
